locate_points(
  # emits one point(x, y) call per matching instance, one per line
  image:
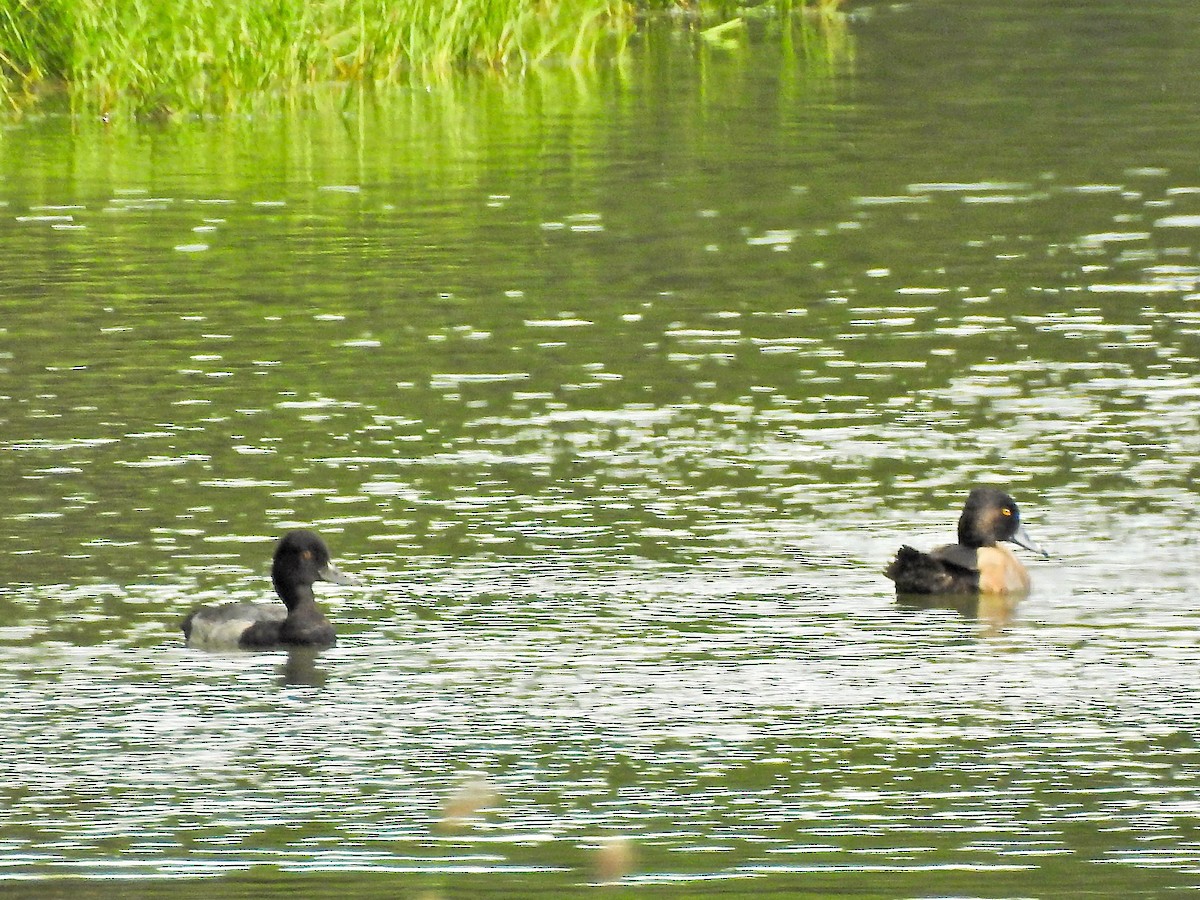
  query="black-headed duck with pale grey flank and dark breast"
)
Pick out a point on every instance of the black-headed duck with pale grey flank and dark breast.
point(302, 559)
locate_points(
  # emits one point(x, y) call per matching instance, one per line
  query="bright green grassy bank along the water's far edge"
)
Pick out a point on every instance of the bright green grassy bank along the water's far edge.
point(194, 55)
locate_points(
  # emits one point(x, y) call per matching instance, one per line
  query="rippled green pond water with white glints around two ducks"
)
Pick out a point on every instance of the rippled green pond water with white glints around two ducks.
point(619, 392)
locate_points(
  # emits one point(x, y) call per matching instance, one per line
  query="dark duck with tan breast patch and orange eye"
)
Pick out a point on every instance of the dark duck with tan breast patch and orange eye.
point(977, 565)
